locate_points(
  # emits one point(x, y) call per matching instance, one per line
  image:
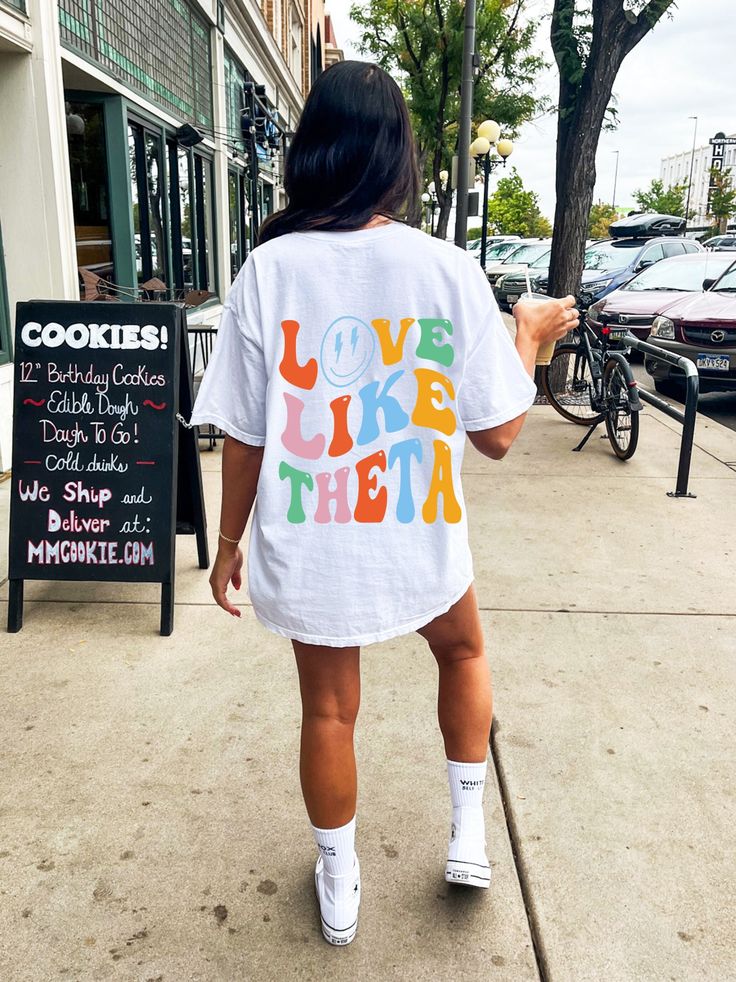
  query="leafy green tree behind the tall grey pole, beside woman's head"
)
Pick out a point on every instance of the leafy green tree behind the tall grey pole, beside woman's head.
point(420, 42)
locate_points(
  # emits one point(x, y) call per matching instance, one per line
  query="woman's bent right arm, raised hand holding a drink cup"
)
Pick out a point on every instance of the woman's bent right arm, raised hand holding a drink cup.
point(535, 324)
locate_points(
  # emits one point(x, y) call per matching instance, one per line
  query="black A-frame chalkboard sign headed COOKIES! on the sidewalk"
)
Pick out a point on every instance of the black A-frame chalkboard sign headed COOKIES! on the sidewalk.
point(97, 458)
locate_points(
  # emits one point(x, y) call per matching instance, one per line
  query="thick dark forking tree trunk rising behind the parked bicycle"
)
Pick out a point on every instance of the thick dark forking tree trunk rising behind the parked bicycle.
point(590, 40)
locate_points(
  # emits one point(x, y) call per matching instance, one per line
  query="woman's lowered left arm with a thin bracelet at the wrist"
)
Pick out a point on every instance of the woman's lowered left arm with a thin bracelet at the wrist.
point(241, 467)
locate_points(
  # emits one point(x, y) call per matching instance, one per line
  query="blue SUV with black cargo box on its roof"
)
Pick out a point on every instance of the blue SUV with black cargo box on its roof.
point(609, 264)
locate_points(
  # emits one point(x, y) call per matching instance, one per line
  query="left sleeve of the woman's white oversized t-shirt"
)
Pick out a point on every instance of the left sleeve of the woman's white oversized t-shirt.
point(232, 395)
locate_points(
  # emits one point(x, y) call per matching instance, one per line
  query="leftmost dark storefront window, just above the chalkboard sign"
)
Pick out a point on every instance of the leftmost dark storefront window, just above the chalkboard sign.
point(85, 128)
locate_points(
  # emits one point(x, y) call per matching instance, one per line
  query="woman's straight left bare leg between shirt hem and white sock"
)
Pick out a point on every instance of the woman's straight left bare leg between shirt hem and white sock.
point(329, 681)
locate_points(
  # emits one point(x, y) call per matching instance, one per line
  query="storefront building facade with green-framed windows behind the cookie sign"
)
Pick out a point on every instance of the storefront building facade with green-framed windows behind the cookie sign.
point(124, 165)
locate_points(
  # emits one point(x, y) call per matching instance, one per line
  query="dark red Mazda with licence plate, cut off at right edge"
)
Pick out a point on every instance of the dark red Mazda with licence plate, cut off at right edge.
point(702, 328)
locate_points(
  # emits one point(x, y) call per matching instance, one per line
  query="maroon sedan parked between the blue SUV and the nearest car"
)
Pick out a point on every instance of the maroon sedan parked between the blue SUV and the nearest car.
point(654, 289)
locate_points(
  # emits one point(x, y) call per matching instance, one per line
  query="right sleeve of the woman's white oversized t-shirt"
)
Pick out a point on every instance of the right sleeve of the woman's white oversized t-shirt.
point(495, 387)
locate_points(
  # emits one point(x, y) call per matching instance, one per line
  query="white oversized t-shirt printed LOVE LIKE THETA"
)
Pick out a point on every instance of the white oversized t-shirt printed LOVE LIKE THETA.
point(358, 359)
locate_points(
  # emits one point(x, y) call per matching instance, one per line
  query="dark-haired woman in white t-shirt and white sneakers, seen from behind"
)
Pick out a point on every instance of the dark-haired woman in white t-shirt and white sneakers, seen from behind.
point(354, 355)
